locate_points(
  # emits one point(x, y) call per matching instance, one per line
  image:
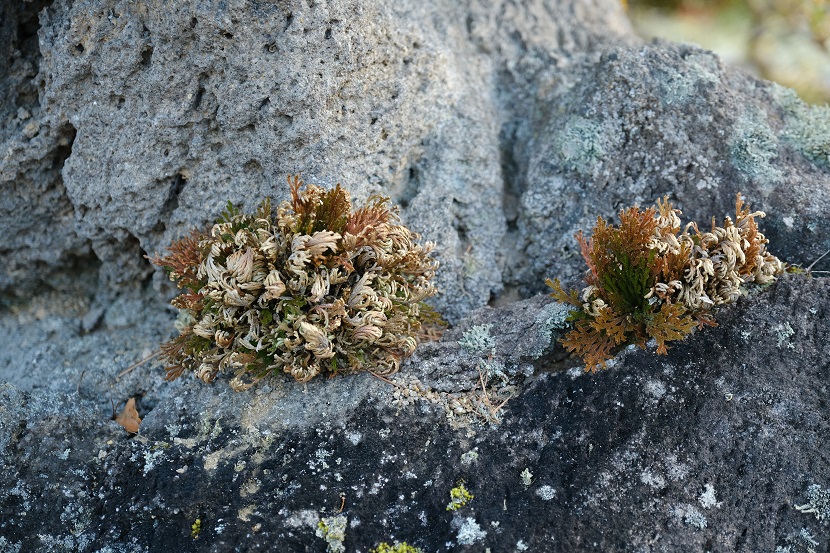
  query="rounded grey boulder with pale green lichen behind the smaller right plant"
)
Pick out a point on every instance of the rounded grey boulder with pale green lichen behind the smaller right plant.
point(667, 120)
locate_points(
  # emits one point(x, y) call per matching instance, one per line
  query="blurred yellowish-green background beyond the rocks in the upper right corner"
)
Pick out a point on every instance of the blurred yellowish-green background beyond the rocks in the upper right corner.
point(787, 41)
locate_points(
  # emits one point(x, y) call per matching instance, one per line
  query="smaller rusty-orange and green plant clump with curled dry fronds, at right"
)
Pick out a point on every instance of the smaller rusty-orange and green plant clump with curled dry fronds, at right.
point(647, 279)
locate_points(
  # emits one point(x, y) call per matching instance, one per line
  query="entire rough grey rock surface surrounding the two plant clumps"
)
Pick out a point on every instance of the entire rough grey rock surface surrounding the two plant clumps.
point(501, 128)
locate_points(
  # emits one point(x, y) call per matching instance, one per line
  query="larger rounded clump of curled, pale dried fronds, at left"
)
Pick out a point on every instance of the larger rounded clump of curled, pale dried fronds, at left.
point(315, 288)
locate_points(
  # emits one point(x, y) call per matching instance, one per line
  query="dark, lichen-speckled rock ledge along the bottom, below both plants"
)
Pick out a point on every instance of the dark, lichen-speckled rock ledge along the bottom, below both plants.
point(710, 448)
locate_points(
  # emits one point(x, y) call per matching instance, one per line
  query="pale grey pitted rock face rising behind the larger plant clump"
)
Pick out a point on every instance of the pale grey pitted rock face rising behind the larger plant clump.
point(169, 114)
